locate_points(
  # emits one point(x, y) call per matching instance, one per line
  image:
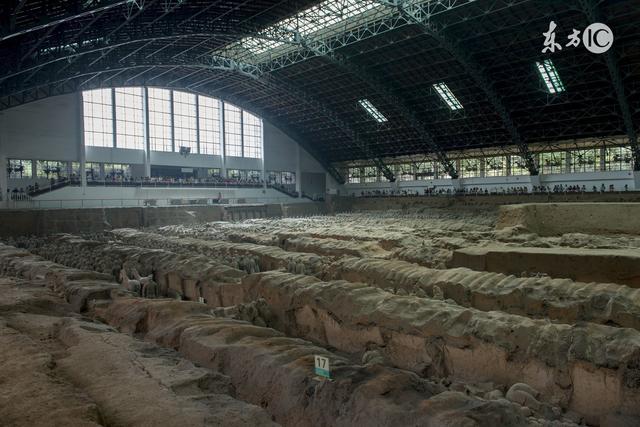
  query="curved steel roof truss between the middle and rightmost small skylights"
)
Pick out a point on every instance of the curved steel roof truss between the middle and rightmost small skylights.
point(422, 20)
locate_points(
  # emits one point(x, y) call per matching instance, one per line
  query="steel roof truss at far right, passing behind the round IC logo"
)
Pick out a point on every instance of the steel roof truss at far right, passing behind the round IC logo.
point(593, 13)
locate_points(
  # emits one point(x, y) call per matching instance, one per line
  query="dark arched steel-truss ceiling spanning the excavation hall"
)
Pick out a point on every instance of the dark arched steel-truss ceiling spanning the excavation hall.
point(484, 50)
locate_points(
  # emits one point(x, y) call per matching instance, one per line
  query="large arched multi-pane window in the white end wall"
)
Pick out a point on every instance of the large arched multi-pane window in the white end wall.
point(117, 118)
